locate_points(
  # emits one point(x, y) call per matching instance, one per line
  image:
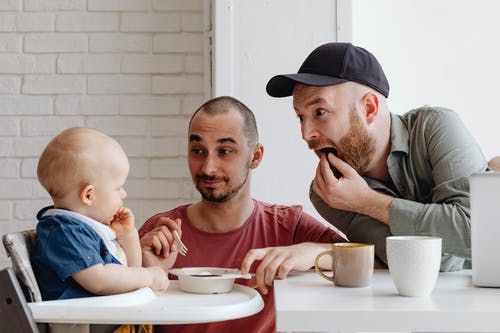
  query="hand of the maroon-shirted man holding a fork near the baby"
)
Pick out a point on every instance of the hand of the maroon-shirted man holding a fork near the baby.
point(158, 246)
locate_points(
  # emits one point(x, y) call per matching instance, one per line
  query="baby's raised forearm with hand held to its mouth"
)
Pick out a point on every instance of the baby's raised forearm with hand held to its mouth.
point(126, 234)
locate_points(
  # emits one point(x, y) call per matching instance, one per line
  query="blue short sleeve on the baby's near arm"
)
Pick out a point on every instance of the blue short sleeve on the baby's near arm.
point(69, 249)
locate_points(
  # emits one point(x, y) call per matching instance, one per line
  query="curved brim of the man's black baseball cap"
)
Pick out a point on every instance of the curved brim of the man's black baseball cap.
point(282, 85)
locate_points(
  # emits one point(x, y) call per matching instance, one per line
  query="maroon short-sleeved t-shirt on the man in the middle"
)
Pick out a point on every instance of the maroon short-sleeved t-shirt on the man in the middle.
point(268, 225)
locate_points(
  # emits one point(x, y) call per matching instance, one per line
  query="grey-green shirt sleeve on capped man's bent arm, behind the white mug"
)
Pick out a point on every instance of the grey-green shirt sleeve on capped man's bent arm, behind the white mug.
point(453, 155)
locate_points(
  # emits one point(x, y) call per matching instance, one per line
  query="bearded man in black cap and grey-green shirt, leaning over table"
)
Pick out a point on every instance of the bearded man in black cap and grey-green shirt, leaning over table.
point(381, 173)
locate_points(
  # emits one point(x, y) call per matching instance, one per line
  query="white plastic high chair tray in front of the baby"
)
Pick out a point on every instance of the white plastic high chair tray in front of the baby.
point(144, 306)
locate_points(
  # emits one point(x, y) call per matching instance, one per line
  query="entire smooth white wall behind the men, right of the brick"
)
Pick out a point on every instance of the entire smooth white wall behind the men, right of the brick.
point(443, 53)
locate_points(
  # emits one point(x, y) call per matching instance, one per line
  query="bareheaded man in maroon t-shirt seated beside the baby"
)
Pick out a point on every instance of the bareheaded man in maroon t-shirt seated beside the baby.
point(227, 227)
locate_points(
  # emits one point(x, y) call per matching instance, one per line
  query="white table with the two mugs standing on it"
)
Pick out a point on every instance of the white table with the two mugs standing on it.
point(306, 302)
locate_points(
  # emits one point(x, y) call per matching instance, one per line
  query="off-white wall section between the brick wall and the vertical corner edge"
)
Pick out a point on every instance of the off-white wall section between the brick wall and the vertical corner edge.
point(268, 38)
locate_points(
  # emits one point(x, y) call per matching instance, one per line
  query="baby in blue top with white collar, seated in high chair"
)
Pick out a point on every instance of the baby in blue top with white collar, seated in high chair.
point(87, 242)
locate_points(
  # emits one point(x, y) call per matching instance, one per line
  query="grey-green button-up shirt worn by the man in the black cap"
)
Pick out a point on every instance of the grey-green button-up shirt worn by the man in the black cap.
point(432, 156)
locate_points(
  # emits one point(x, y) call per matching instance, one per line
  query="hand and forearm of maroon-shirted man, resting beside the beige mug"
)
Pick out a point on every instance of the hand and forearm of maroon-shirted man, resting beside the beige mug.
point(277, 262)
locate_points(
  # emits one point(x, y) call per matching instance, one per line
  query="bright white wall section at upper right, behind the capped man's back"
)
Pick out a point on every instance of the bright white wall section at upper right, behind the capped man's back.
point(444, 53)
